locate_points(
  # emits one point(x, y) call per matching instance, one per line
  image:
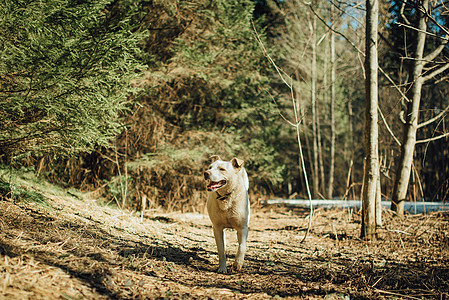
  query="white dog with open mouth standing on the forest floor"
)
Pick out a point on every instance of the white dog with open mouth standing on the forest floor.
point(228, 206)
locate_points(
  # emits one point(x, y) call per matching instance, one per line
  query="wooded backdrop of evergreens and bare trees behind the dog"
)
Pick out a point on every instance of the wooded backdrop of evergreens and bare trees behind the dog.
point(129, 98)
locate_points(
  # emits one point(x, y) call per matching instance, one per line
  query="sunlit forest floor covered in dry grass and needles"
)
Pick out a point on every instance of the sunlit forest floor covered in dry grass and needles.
point(71, 248)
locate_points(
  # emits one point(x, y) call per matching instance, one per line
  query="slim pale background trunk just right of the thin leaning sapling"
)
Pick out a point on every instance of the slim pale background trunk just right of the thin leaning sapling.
point(314, 112)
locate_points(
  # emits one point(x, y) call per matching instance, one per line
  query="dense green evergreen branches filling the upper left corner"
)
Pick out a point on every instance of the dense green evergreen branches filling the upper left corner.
point(65, 73)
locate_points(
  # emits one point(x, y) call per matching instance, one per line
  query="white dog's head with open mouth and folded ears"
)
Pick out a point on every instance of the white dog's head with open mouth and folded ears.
point(220, 173)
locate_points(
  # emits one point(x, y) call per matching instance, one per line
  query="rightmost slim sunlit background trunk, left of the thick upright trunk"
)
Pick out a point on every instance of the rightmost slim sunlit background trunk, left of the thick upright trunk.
point(330, 188)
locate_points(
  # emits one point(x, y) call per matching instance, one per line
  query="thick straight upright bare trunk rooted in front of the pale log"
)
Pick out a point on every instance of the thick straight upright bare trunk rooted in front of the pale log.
point(371, 130)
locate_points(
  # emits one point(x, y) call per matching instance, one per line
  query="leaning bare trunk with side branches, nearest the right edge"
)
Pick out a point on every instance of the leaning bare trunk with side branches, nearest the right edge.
point(411, 120)
